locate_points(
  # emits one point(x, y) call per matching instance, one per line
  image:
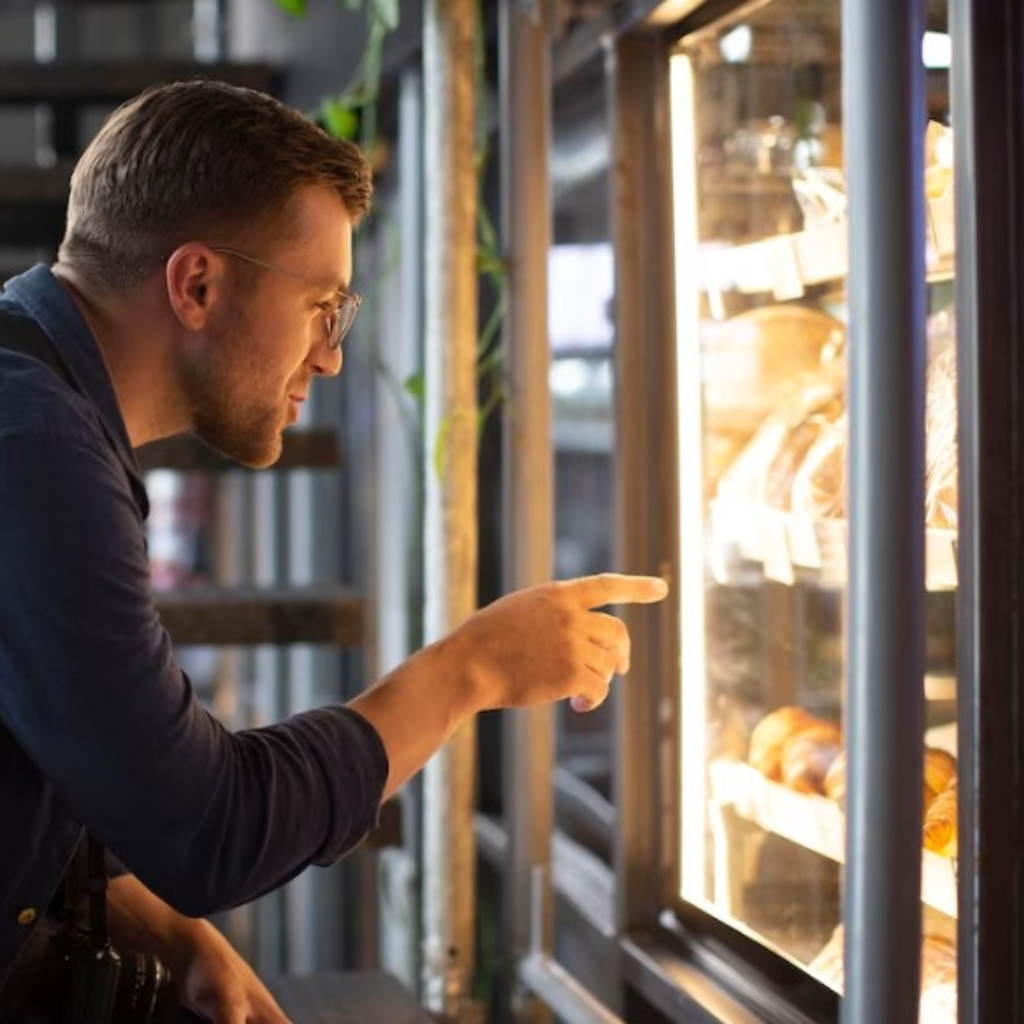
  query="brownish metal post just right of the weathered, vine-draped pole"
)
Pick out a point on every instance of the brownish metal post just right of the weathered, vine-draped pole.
point(529, 528)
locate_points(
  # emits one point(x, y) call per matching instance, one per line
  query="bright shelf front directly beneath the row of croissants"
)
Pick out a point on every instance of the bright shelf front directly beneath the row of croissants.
point(816, 824)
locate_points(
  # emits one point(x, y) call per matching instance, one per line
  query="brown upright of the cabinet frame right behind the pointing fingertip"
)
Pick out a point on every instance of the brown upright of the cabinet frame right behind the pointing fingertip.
point(647, 529)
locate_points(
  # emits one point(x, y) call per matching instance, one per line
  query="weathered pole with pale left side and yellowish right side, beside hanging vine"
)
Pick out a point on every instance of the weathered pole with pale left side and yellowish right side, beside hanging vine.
point(451, 319)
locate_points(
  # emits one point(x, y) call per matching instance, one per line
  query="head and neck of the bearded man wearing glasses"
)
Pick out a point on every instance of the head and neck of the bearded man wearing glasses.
point(209, 239)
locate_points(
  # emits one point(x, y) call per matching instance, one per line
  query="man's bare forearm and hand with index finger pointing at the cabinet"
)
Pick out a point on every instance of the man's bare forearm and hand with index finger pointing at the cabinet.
point(535, 647)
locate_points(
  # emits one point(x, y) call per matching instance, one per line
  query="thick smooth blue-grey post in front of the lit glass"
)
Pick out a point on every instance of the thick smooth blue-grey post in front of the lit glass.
point(884, 96)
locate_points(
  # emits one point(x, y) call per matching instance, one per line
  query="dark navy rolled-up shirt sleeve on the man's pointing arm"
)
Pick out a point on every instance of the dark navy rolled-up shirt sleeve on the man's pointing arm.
point(91, 689)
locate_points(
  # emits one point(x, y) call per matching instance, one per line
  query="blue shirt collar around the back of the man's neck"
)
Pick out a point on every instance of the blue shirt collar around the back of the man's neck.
point(39, 294)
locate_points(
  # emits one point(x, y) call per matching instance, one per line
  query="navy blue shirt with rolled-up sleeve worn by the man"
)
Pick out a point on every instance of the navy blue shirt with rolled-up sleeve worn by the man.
point(99, 724)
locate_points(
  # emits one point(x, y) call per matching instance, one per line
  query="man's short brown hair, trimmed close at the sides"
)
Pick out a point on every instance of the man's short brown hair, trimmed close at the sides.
point(196, 160)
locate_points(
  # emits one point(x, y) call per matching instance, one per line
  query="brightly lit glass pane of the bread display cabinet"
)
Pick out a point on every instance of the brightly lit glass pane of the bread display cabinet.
point(761, 257)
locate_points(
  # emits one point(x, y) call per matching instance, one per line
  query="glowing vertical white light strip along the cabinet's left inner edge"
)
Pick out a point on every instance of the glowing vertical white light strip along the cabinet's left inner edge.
point(692, 514)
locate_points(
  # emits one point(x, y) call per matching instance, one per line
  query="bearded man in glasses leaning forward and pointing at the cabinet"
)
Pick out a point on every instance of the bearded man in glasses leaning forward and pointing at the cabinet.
point(202, 285)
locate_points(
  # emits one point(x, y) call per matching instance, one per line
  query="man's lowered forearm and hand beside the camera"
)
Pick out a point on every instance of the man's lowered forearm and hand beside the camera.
point(211, 978)
